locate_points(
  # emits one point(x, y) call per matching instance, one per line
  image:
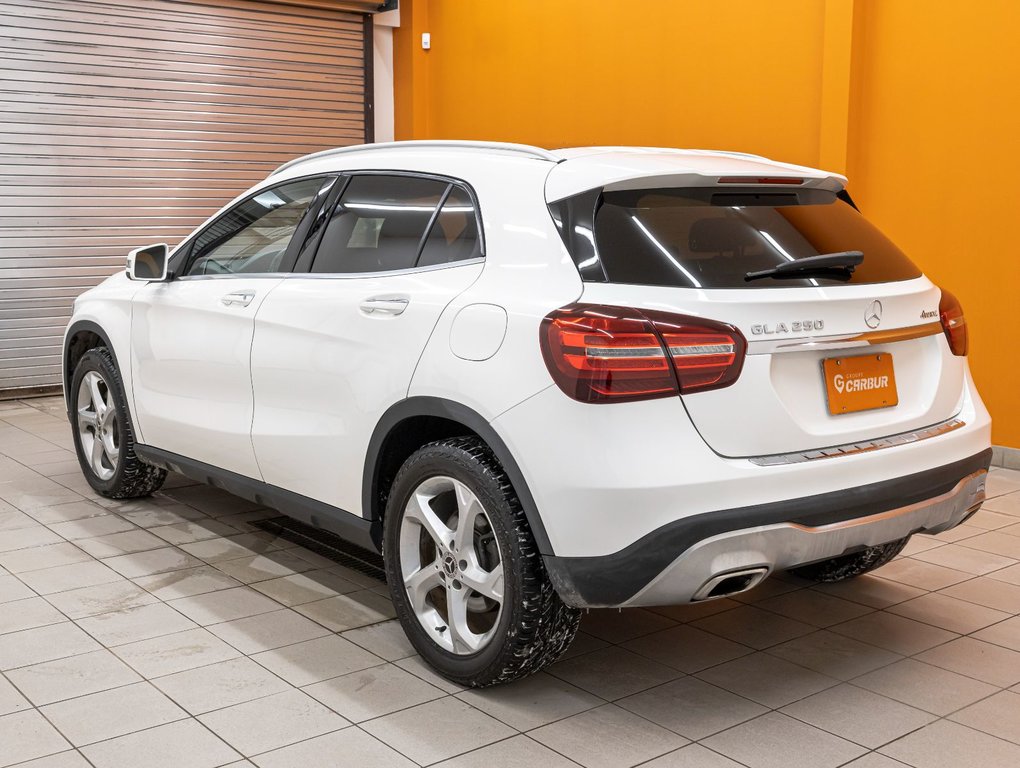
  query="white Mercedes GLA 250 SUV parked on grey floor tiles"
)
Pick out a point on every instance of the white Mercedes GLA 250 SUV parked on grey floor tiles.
point(539, 381)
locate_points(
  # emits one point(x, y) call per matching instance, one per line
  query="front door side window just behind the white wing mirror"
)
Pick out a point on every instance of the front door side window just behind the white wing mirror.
point(254, 235)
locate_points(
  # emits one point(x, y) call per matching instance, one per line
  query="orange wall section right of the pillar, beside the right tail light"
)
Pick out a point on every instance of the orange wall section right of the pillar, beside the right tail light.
point(935, 161)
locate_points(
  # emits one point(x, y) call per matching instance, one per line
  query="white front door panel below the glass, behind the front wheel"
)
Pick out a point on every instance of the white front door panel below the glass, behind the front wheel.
point(191, 356)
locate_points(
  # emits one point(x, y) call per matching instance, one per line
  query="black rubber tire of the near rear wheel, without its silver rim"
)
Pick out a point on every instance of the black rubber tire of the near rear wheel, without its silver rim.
point(535, 627)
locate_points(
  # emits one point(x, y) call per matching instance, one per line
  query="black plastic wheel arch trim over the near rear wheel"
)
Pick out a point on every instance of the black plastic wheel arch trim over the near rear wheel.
point(452, 412)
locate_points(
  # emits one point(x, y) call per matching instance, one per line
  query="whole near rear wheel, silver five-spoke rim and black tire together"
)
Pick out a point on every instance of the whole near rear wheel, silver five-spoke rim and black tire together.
point(466, 576)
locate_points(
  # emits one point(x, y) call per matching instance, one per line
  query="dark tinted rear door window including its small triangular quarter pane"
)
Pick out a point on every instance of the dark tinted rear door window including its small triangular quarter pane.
point(382, 224)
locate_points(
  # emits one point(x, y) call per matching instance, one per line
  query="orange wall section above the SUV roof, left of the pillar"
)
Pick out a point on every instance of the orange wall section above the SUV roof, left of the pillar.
point(564, 73)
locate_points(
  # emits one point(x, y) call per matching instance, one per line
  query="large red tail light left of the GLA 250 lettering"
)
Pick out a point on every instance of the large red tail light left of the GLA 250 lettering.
point(605, 354)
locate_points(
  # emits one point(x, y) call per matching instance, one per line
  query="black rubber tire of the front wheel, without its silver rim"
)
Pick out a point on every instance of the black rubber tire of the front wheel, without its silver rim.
point(132, 478)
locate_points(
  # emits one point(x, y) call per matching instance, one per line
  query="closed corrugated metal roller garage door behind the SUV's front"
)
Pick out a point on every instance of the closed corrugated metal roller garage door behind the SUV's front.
point(125, 123)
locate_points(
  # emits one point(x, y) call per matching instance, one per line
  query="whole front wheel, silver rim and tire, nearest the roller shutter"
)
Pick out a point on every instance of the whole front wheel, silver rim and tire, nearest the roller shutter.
point(105, 440)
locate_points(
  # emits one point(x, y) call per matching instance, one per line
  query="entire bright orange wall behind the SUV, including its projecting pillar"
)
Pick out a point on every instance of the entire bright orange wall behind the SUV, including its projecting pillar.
point(887, 89)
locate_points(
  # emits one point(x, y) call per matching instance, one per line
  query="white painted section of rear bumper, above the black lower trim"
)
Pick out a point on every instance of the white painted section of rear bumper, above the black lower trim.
point(604, 478)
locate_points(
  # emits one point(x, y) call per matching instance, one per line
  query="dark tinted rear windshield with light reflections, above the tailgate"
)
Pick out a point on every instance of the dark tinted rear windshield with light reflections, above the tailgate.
point(711, 238)
